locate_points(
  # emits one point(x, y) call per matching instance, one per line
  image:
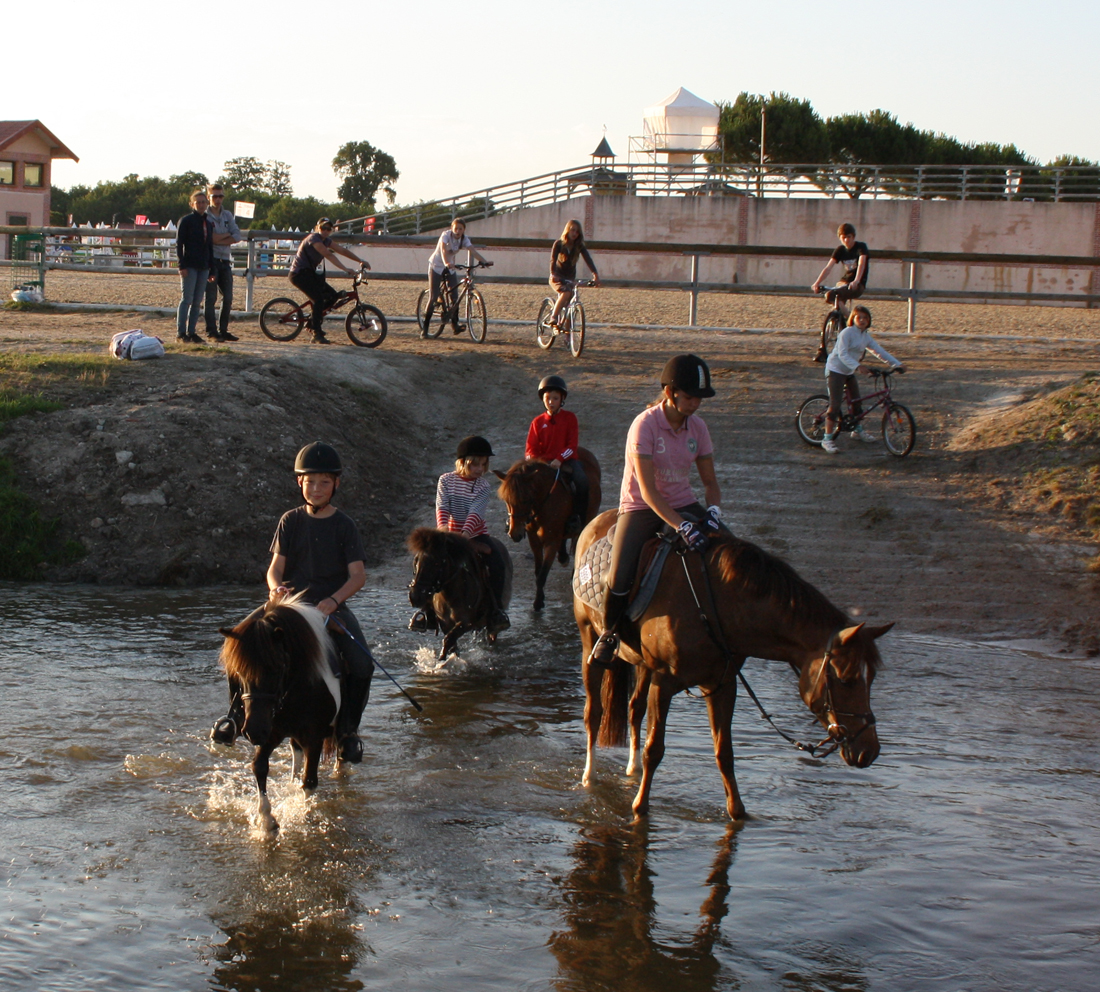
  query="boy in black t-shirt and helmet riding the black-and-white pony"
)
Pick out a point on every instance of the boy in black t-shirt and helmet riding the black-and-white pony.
point(317, 553)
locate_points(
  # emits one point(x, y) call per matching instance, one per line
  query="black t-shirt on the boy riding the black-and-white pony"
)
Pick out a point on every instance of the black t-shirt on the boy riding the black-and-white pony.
point(317, 552)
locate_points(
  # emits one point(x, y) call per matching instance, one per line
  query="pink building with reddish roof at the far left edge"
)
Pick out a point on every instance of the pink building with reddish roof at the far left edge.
point(27, 150)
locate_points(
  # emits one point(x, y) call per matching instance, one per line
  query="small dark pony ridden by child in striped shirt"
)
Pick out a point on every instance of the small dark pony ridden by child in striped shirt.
point(448, 574)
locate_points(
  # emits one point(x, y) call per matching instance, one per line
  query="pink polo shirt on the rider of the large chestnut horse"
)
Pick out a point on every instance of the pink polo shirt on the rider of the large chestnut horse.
point(674, 454)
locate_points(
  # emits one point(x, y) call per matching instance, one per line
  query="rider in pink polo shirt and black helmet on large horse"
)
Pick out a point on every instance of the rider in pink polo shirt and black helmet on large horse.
point(664, 443)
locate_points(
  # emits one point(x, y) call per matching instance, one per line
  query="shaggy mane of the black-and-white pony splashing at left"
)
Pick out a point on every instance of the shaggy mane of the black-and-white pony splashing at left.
point(282, 630)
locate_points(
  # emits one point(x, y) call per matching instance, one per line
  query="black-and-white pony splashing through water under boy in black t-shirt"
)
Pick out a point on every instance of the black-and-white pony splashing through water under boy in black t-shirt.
point(284, 663)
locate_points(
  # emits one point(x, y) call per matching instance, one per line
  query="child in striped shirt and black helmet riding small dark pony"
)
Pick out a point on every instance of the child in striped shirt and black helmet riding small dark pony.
point(461, 502)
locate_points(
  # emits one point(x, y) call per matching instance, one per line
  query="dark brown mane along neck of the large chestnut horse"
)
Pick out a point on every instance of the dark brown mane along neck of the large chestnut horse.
point(749, 568)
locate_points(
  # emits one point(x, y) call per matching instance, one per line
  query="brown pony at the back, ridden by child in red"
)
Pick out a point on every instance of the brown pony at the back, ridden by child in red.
point(540, 505)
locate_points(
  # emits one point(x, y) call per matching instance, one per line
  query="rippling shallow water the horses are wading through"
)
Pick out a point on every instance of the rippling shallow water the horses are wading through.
point(465, 855)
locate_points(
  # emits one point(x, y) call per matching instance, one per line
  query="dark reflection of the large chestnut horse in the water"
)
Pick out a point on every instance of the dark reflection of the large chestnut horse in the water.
point(611, 938)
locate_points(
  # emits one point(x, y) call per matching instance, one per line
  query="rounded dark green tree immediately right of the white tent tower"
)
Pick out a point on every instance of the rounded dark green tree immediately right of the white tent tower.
point(795, 134)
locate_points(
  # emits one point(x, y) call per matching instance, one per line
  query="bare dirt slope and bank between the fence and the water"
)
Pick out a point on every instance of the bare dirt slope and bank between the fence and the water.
point(887, 539)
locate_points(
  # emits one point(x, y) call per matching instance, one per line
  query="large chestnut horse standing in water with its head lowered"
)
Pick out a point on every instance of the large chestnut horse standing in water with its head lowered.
point(762, 609)
